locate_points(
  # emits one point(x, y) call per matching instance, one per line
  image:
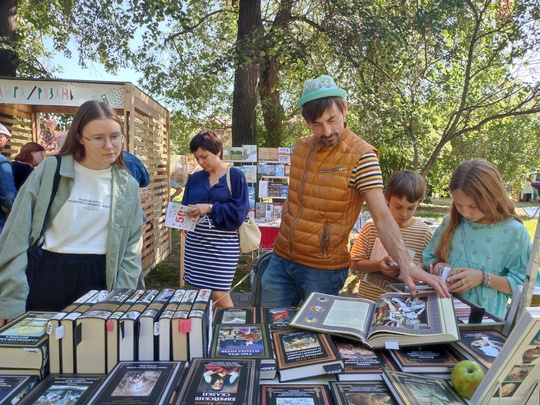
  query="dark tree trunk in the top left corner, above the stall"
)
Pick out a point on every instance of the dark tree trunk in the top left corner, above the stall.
point(8, 33)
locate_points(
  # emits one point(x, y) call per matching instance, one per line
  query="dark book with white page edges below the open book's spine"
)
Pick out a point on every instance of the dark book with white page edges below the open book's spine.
point(360, 362)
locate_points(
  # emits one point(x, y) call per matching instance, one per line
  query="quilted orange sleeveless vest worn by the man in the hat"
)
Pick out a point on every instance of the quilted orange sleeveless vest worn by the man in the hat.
point(321, 208)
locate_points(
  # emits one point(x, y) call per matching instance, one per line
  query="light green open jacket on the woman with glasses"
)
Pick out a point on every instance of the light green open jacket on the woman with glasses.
point(22, 229)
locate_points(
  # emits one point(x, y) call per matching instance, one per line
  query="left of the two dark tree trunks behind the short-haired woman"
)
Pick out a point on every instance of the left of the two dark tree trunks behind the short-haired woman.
point(244, 111)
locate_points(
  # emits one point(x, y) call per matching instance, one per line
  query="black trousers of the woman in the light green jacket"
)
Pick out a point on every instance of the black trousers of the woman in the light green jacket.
point(58, 279)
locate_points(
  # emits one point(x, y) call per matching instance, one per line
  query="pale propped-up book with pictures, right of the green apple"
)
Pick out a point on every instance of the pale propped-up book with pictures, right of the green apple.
point(515, 372)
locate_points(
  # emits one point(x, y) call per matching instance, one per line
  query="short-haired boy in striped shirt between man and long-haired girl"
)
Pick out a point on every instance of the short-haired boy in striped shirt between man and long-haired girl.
point(404, 191)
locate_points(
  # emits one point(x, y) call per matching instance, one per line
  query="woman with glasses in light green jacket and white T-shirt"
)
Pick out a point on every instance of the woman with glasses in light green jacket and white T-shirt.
point(92, 232)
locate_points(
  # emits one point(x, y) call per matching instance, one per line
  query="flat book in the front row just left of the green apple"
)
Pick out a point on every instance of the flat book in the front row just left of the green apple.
point(415, 389)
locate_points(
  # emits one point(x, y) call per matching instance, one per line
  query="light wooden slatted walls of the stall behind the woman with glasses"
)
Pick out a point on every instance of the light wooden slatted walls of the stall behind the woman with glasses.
point(147, 129)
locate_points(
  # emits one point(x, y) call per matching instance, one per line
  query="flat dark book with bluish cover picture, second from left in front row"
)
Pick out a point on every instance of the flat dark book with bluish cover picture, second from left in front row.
point(72, 389)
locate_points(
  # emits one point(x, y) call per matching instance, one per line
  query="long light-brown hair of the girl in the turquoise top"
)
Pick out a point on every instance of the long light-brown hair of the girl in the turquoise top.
point(482, 182)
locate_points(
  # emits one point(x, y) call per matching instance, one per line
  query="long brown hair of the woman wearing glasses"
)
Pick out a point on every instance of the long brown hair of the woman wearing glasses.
point(88, 111)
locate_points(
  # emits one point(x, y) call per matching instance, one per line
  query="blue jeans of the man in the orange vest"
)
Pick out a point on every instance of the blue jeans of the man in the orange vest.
point(285, 283)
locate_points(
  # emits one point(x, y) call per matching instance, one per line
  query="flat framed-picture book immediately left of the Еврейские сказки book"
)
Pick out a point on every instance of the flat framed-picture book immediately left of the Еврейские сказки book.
point(141, 383)
